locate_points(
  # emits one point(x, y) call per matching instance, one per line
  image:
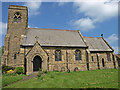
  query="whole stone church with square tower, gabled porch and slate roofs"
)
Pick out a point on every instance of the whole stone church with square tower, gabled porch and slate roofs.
point(52, 49)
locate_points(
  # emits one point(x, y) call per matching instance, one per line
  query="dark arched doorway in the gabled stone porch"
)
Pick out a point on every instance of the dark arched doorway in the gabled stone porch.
point(37, 63)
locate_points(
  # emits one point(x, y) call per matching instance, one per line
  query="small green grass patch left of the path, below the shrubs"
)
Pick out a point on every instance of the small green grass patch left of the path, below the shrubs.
point(8, 79)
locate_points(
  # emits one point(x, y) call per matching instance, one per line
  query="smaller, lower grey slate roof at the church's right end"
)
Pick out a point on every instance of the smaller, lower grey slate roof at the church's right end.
point(97, 44)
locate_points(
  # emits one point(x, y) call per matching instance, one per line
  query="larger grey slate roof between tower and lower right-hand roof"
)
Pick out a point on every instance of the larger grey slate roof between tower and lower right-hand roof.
point(53, 37)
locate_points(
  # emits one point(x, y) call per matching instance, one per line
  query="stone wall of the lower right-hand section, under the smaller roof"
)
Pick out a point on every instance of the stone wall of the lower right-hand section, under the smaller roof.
point(98, 60)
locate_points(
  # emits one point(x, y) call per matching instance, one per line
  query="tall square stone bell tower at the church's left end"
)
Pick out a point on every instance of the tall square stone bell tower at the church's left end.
point(17, 24)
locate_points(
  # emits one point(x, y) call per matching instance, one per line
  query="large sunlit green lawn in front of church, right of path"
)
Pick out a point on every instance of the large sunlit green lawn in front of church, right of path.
point(83, 79)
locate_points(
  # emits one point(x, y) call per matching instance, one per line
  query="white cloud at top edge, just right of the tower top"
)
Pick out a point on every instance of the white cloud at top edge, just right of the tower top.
point(33, 8)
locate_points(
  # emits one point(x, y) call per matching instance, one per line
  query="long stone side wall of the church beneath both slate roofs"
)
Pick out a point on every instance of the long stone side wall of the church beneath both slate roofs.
point(70, 62)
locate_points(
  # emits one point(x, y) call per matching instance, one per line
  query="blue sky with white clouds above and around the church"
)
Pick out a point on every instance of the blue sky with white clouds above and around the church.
point(91, 18)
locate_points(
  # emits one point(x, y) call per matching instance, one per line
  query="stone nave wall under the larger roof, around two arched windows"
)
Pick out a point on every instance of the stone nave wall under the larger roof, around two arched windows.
point(63, 65)
